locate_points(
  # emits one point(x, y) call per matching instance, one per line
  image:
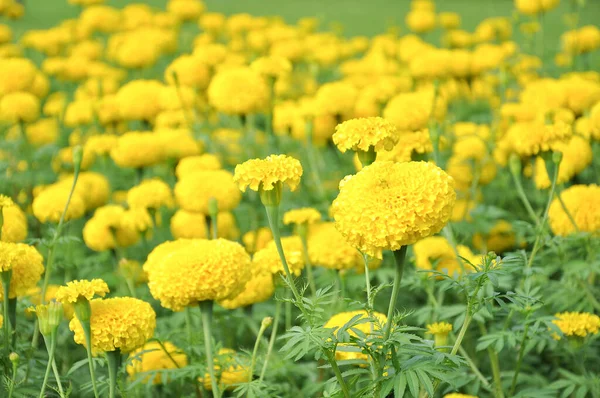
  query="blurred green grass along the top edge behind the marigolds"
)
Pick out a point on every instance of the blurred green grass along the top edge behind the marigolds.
point(359, 17)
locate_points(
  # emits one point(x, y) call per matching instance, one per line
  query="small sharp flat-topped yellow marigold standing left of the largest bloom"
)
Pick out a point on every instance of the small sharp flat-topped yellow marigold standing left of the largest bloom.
point(265, 174)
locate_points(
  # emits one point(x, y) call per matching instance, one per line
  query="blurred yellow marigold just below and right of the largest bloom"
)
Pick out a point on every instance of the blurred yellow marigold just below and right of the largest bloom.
point(436, 253)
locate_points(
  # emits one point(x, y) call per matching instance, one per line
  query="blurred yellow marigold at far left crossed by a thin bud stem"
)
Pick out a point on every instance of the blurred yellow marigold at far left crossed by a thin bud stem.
point(50, 203)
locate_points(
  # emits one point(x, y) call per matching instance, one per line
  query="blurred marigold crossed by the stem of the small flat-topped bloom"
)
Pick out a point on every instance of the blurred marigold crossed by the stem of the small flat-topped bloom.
point(268, 258)
